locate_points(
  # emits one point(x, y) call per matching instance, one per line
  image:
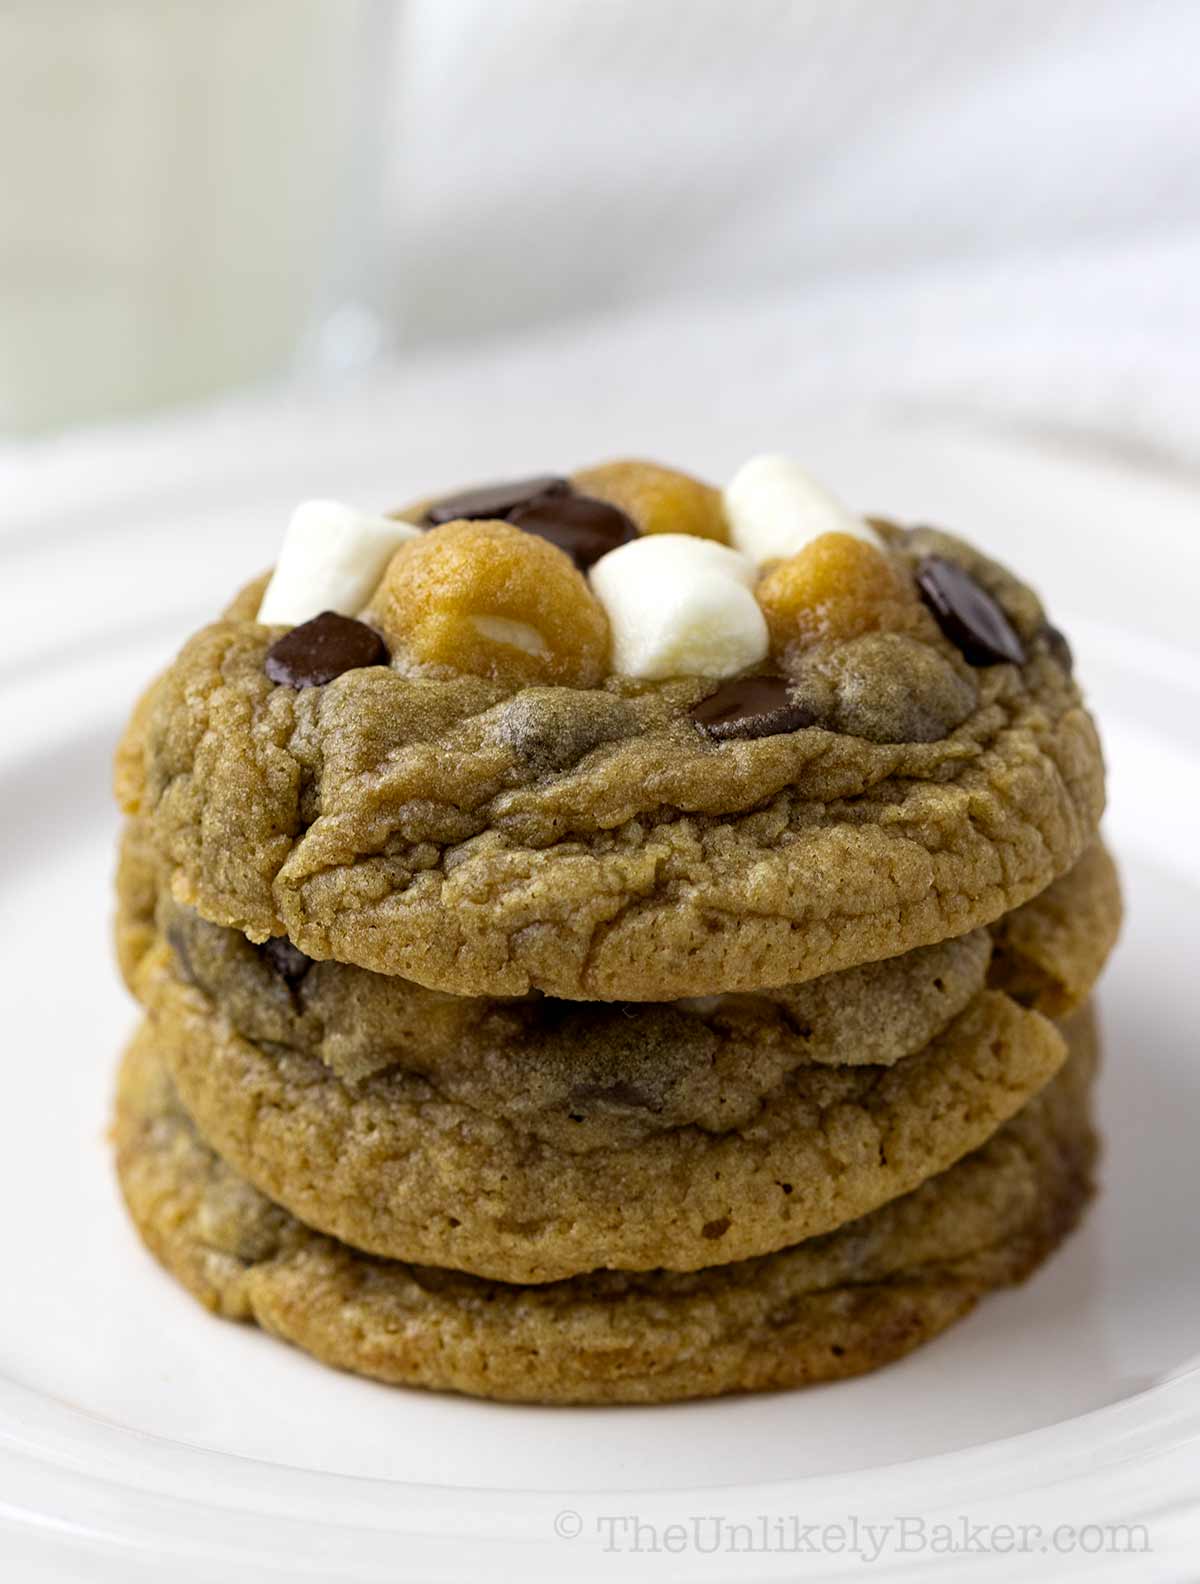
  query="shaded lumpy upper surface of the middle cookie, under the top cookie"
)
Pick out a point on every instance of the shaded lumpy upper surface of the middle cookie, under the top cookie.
point(640, 1067)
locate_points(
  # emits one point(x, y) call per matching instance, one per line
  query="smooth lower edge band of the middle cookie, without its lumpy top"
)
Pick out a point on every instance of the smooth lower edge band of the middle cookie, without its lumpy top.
point(401, 1167)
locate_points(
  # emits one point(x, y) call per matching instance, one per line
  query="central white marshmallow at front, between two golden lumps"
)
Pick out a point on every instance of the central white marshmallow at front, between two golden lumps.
point(680, 606)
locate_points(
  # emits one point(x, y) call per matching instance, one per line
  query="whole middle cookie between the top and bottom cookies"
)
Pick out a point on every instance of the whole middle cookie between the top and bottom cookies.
point(534, 1141)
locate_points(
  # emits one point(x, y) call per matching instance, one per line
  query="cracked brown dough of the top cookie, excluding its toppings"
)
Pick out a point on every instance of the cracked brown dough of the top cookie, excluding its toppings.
point(594, 842)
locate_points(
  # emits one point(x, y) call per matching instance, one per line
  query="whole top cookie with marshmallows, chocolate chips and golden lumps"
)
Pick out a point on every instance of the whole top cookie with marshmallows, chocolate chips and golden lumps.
point(558, 736)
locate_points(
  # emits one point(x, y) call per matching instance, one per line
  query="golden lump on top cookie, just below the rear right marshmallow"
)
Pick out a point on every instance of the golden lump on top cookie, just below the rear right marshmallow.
point(837, 588)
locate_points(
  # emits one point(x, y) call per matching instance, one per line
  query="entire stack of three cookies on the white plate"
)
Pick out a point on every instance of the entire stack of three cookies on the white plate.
point(612, 940)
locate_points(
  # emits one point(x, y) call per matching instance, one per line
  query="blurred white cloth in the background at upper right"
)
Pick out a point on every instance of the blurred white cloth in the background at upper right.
point(984, 207)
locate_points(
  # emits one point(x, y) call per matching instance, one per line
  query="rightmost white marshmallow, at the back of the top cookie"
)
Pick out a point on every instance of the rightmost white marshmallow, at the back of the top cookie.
point(775, 509)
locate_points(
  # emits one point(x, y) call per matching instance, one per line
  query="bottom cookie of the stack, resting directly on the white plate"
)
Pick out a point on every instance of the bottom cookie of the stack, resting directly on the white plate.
point(830, 1308)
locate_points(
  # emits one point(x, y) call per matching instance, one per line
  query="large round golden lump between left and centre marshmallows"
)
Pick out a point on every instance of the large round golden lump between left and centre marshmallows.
point(487, 600)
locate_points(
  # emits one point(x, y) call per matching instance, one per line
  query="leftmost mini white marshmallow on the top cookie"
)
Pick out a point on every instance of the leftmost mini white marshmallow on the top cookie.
point(332, 560)
